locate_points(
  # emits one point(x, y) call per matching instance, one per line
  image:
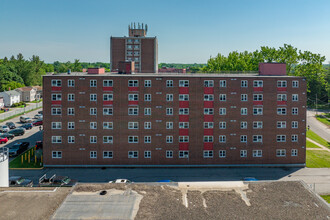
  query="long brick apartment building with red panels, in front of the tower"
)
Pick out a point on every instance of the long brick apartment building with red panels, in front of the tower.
point(174, 119)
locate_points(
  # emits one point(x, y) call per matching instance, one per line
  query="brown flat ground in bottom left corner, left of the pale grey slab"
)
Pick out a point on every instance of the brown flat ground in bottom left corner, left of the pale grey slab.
point(30, 205)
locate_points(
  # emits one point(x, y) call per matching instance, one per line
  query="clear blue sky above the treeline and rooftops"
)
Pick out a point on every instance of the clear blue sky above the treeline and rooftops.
point(187, 31)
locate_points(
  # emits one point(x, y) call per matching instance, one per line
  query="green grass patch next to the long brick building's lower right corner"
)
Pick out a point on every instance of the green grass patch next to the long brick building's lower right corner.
point(317, 159)
